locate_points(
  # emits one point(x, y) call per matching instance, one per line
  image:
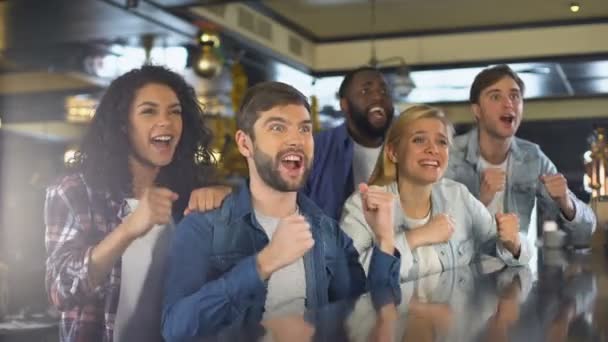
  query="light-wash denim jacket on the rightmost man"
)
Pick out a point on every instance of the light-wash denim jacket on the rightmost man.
point(523, 188)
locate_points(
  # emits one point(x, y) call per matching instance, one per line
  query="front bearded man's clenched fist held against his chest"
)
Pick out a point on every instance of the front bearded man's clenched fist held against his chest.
point(290, 241)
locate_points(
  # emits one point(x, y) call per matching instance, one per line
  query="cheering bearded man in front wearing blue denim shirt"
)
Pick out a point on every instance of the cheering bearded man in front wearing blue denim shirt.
point(268, 250)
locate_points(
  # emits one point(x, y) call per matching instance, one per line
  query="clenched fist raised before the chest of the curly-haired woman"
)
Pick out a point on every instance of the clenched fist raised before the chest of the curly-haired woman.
point(155, 207)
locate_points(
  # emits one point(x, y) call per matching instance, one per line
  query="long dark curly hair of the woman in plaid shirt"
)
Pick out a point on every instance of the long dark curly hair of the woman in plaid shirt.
point(105, 149)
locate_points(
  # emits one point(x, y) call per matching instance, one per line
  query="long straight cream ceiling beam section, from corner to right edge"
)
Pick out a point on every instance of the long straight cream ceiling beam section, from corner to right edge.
point(479, 47)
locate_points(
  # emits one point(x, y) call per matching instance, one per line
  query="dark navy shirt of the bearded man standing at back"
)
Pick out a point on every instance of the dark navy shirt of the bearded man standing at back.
point(331, 179)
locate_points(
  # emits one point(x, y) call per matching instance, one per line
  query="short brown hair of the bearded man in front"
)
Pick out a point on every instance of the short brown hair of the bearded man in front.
point(265, 96)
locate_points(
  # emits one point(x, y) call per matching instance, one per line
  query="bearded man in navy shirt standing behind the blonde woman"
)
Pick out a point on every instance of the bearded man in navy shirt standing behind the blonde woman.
point(346, 155)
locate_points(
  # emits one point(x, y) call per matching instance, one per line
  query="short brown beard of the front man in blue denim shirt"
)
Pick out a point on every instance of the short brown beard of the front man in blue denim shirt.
point(268, 169)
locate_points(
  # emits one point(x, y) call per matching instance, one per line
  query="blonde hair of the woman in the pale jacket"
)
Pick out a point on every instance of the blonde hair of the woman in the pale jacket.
point(385, 171)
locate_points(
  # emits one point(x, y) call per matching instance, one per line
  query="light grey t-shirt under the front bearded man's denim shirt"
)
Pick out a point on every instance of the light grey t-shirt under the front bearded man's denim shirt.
point(287, 286)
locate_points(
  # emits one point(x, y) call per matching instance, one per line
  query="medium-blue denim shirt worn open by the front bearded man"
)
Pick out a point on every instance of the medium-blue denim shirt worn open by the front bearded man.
point(213, 281)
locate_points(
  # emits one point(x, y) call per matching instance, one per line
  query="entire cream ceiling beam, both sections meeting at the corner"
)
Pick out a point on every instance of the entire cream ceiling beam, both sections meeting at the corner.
point(419, 51)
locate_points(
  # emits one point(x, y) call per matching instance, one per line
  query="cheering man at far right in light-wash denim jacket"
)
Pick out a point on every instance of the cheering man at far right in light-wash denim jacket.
point(508, 174)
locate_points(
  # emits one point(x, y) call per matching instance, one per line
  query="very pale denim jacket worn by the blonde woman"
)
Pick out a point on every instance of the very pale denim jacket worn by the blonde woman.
point(474, 232)
